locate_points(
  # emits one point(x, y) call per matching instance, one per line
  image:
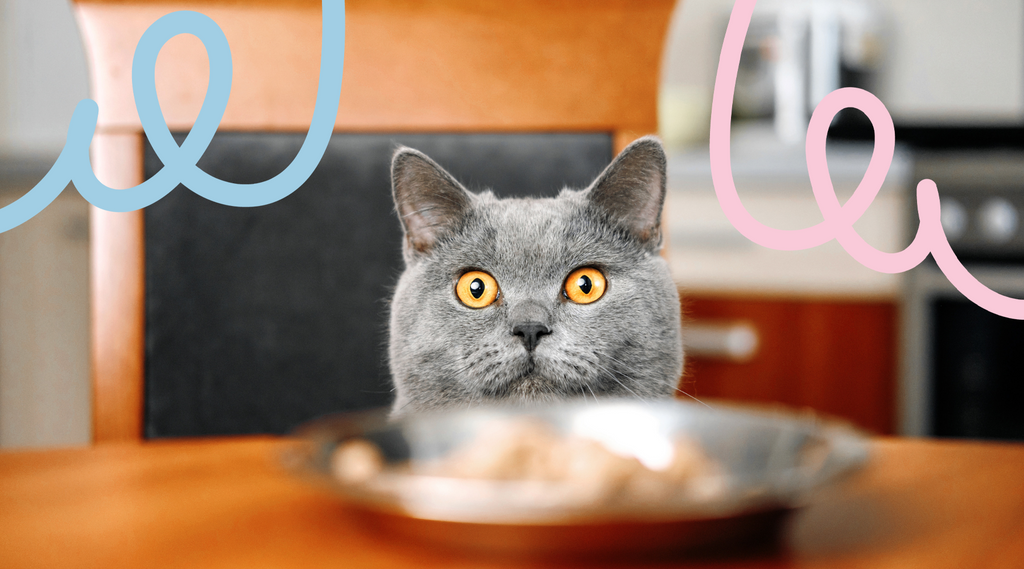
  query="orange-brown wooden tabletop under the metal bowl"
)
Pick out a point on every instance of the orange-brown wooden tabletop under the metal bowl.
point(229, 503)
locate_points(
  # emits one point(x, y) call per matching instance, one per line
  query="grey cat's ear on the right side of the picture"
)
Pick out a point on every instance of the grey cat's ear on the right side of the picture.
point(631, 191)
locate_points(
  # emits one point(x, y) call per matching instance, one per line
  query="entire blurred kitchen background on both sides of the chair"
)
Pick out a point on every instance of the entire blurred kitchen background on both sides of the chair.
point(902, 355)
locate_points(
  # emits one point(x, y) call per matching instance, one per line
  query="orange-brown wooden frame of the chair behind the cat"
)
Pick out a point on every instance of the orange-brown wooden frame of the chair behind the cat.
point(438, 67)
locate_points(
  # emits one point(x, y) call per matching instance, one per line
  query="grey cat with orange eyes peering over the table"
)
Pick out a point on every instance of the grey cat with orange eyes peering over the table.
point(525, 300)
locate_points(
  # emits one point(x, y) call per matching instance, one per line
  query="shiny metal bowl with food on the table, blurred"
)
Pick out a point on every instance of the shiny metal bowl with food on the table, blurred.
point(582, 479)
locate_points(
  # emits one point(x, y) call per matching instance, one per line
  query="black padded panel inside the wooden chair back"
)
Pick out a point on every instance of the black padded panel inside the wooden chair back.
point(260, 319)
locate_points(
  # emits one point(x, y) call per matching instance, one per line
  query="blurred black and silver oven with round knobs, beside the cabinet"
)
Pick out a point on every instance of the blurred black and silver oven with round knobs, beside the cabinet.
point(963, 366)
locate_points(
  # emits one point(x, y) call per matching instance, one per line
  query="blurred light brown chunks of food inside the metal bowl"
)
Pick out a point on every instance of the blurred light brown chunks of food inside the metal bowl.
point(529, 450)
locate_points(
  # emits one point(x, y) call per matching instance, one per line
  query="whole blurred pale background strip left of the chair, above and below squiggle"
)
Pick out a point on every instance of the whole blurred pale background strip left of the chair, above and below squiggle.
point(45, 315)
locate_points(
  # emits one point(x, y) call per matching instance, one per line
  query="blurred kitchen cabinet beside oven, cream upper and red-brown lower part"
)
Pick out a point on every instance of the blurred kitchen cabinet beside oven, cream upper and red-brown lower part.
point(827, 327)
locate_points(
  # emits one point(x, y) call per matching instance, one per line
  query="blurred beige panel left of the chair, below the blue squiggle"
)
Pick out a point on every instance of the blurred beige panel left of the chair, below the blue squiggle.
point(45, 328)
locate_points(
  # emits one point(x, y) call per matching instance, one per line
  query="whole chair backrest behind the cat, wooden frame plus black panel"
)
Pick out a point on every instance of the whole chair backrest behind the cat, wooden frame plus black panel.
point(581, 76)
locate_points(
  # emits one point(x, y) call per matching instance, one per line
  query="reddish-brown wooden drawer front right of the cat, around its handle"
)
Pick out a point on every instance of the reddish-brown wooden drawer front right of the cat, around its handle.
point(837, 358)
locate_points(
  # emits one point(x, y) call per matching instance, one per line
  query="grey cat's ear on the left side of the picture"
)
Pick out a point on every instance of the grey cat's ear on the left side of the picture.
point(430, 201)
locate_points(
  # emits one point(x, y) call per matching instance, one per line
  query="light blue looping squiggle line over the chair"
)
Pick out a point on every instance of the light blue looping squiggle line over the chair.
point(180, 163)
